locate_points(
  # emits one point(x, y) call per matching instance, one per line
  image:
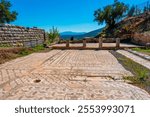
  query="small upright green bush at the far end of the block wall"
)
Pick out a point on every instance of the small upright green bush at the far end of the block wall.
point(53, 34)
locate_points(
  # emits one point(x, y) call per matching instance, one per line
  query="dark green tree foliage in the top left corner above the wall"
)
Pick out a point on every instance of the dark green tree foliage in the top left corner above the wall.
point(6, 16)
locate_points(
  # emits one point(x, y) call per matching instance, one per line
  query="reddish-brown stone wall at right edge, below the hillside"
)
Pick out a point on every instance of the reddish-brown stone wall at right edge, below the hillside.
point(141, 38)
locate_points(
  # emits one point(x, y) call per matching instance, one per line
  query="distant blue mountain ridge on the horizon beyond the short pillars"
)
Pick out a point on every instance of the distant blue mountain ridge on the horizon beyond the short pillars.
point(68, 35)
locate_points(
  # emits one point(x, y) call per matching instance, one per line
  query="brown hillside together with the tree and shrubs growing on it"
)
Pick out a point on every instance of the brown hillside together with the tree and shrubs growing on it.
point(122, 20)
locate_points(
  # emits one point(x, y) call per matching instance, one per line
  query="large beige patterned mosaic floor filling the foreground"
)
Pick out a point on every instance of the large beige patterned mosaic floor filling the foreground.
point(67, 74)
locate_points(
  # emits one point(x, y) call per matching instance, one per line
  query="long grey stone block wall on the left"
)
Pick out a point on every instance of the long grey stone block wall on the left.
point(21, 36)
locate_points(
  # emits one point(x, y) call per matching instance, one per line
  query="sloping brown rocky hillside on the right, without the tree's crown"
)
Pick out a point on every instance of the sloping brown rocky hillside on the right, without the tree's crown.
point(129, 26)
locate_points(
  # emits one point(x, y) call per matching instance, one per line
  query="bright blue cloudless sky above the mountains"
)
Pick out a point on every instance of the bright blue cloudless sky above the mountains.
point(66, 15)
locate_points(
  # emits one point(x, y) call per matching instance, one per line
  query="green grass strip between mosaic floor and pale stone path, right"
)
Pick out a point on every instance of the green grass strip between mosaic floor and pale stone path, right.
point(141, 74)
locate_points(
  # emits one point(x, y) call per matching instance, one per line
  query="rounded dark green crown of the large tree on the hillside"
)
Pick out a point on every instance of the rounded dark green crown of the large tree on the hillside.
point(111, 13)
